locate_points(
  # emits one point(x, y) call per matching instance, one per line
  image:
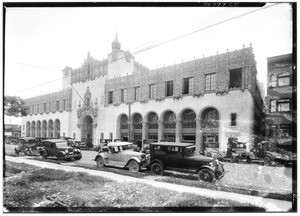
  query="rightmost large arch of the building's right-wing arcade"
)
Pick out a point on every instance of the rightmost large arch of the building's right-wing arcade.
point(210, 128)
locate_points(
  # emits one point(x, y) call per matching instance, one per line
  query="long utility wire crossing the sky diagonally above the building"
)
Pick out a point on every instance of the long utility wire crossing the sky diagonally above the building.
point(165, 42)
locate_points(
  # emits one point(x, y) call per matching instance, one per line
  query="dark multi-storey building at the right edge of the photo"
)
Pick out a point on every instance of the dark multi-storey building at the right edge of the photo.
point(281, 101)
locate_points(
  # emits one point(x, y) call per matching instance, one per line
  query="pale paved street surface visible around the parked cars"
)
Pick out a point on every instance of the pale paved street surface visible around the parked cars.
point(269, 179)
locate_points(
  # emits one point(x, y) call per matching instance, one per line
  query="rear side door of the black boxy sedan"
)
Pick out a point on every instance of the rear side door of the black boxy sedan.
point(174, 157)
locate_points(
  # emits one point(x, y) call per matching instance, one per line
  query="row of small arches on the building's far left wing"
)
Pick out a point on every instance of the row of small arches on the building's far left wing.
point(43, 128)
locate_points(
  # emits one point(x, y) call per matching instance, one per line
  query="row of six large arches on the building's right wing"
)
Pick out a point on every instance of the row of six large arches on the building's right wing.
point(169, 126)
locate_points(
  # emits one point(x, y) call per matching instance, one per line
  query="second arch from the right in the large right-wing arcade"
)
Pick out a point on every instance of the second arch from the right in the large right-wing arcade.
point(188, 125)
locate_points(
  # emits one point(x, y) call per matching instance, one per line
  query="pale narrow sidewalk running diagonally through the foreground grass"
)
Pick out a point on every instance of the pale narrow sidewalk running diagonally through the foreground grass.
point(268, 204)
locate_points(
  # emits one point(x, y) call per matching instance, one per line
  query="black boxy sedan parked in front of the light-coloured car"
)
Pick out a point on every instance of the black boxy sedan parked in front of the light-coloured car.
point(181, 157)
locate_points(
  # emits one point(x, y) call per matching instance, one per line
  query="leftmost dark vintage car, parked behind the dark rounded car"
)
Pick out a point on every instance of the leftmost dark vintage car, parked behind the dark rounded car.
point(27, 145)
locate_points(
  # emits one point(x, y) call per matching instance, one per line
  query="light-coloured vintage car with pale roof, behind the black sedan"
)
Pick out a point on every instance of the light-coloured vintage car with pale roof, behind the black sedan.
point(121, 154)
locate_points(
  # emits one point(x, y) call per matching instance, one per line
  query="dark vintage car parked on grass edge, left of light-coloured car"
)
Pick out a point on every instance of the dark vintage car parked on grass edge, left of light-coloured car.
point(58, 148)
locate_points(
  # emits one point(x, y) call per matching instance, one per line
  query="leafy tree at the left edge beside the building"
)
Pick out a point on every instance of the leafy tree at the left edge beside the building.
point(15, 106)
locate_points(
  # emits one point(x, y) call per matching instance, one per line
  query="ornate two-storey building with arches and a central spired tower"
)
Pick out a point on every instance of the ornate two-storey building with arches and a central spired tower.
point(206, 100)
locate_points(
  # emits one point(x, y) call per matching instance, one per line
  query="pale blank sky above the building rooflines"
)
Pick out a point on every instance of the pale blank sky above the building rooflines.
point(41, 42)
